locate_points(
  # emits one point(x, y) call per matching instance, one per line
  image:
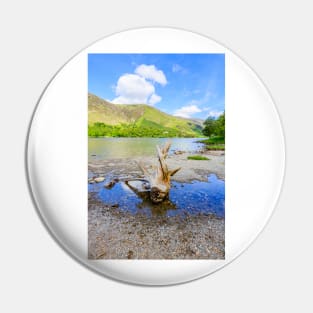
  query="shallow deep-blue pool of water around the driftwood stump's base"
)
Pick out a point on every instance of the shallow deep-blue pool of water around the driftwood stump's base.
point(184, 198)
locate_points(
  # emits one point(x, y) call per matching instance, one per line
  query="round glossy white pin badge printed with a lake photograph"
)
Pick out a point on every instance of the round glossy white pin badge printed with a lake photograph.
point(155, 156)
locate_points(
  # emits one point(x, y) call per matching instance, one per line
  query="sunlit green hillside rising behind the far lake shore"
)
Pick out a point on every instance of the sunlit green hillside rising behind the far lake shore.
point(137, 120)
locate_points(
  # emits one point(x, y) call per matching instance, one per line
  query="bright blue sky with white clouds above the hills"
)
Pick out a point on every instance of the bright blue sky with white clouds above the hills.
point(186, 85)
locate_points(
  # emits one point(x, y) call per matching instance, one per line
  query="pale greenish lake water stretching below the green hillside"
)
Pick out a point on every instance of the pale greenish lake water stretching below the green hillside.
point(107, 148)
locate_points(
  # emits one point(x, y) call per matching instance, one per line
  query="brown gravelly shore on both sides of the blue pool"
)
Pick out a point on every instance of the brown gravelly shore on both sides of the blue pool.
point(116, 234)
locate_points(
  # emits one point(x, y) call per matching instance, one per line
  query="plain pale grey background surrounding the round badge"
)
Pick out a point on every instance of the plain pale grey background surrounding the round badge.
point(274, 38)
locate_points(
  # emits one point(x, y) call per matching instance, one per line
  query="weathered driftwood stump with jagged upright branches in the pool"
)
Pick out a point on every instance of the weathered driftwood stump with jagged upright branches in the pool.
point(160, 179)
